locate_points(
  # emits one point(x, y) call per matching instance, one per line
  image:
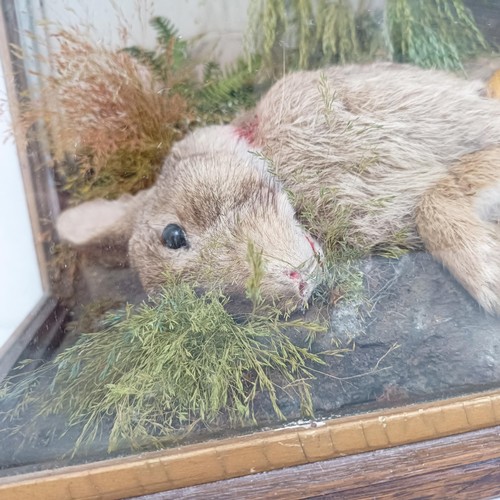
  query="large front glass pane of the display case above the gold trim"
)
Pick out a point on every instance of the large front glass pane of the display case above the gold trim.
point(271, 212)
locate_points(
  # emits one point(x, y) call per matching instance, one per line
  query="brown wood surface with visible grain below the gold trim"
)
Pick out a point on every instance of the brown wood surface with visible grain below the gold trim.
point(458, 467)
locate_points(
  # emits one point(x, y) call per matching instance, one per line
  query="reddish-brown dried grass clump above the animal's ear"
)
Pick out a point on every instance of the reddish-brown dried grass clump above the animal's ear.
point(111, 122)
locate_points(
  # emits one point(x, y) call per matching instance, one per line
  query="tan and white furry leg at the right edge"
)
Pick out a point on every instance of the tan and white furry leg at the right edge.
point(458, 221)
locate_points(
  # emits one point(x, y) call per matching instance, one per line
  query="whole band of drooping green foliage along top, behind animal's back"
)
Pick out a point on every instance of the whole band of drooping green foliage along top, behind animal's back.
point(307, 34)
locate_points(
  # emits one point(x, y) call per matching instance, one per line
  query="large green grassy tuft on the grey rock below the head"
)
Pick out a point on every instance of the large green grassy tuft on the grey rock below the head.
point(173, 363)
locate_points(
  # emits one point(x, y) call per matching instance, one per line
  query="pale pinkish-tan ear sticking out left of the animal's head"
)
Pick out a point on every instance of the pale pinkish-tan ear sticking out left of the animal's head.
point(101, 222)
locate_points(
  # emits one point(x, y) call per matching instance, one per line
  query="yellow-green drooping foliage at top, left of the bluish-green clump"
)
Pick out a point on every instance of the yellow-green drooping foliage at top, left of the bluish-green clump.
point(305, 34)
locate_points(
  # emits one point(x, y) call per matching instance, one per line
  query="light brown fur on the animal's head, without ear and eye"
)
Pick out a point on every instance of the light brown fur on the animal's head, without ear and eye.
point(223, 198)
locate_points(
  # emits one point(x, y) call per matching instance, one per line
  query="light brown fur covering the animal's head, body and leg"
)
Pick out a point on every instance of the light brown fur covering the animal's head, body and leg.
point(405, 150)
